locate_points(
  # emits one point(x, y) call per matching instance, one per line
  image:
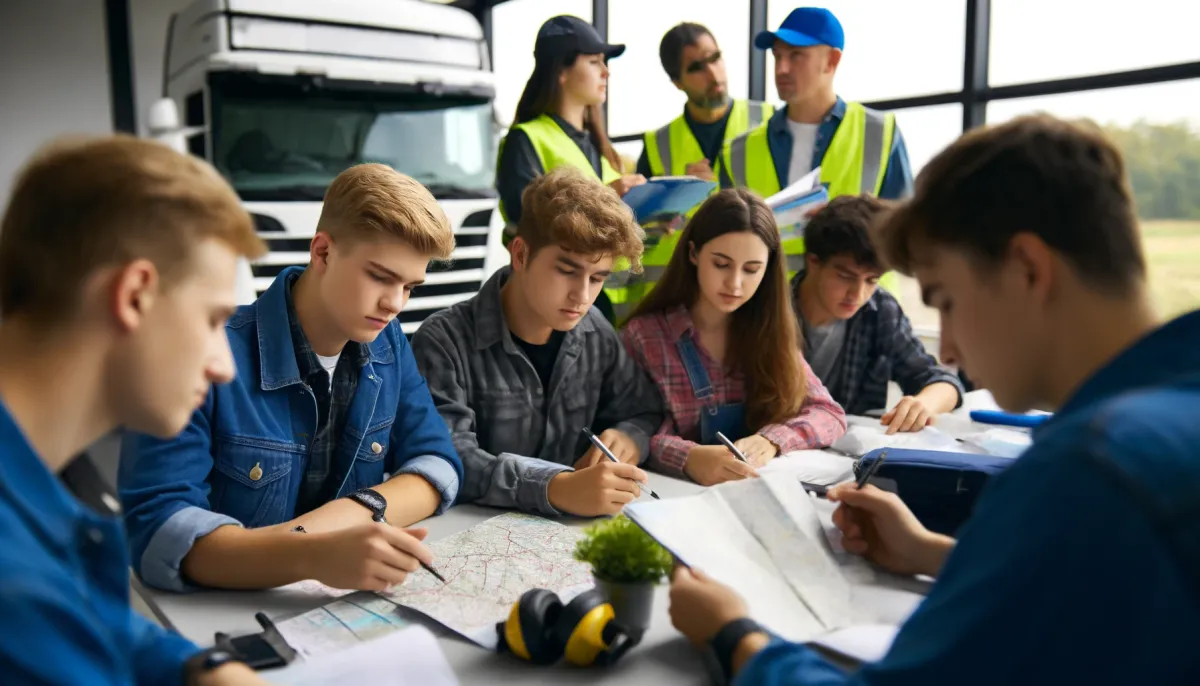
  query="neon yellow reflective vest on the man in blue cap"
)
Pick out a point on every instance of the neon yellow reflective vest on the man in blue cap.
point(855, 163)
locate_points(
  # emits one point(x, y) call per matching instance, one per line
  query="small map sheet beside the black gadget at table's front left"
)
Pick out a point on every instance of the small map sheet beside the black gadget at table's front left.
point(341, 624)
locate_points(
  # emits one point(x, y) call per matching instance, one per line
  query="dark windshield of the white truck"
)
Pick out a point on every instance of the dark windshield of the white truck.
point(283, 140)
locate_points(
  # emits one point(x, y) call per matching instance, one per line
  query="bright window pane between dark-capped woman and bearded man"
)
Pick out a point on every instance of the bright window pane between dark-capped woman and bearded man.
point(641, 97)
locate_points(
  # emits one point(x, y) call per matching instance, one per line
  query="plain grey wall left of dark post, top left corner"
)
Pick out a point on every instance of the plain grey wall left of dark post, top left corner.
point(55, 77)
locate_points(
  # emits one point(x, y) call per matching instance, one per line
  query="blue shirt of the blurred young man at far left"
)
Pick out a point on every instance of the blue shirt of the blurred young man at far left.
point(65, 615)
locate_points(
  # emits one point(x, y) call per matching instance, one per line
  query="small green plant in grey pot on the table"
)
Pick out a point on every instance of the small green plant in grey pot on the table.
point(627, 564)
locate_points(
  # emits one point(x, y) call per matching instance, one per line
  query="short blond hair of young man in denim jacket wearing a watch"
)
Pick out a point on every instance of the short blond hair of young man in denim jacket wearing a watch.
point(375, 201)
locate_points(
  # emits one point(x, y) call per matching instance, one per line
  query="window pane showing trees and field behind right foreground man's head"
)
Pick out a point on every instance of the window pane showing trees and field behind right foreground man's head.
point(1159, 130)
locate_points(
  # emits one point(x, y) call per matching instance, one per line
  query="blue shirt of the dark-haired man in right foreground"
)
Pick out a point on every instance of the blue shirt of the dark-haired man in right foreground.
point(1082, 563)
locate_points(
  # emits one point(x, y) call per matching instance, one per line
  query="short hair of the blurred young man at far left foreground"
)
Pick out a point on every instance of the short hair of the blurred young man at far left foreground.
point(86, 204)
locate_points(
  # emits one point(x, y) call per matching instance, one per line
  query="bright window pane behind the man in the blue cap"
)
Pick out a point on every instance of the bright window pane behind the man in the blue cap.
point(893, 50)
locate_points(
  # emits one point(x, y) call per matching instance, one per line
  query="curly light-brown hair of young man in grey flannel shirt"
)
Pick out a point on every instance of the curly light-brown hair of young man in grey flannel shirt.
point(579, 214)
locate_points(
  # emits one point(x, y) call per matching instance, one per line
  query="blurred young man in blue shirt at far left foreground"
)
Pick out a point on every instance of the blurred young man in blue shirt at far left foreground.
point(118, 260)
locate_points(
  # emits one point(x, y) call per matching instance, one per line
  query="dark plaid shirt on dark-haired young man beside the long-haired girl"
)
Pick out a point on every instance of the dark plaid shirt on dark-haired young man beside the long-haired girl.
point(880, 347)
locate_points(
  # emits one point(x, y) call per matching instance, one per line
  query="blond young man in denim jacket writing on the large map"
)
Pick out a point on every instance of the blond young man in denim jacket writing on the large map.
point(313, 462)
